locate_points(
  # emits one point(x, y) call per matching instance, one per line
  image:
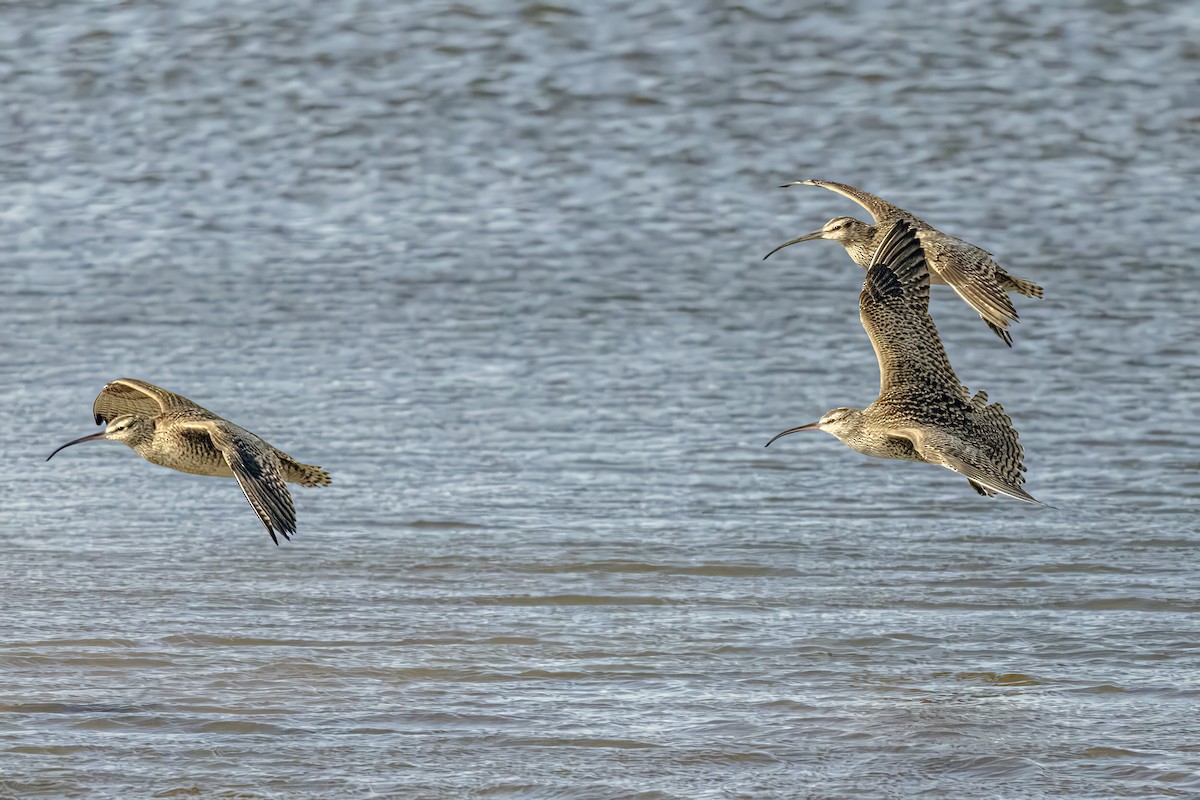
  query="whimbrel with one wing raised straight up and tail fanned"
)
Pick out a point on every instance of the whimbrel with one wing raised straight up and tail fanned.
point(923, 413)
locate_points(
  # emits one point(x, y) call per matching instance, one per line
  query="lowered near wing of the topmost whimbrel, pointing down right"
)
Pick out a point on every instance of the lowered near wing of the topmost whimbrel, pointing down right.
point(974, 276)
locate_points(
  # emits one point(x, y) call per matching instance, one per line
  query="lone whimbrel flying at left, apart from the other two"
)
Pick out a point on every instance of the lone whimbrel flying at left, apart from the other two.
point(172, 431)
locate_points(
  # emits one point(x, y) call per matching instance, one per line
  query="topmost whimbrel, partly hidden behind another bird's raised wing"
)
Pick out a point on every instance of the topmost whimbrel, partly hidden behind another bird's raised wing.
point(968, 269)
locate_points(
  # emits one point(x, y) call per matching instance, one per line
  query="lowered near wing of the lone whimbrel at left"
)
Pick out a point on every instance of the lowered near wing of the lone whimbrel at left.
point(257, 470)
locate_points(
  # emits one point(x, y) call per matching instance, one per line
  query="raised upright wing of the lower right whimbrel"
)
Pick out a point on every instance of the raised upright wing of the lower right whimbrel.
point(893, 308)
